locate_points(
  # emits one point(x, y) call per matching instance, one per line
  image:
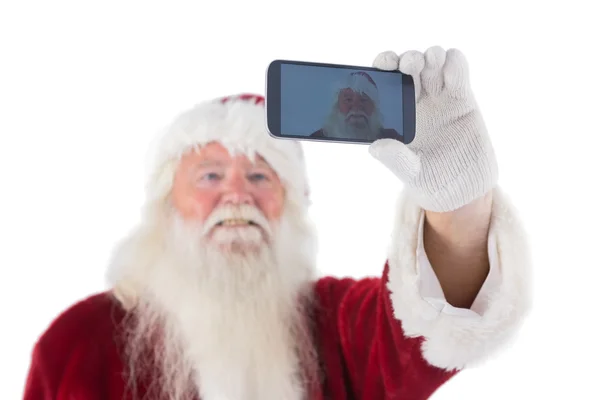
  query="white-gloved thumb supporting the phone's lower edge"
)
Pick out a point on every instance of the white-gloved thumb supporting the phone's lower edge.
point(397, 157)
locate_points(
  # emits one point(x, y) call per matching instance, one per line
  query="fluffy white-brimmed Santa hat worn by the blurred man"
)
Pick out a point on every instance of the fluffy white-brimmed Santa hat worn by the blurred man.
point(238, 123)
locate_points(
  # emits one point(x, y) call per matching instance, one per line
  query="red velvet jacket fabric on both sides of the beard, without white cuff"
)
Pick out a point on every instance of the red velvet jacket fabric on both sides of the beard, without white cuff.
point(363, 351)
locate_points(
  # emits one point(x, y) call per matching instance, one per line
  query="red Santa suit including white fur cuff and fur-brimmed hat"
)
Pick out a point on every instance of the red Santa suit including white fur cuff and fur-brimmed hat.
point(386, 337)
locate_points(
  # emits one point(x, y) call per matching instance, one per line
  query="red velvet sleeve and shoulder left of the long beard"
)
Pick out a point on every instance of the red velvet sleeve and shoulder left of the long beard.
point(69, 357)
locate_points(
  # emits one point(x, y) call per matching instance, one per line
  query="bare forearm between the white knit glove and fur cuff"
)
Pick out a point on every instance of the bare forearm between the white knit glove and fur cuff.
point(456, 245)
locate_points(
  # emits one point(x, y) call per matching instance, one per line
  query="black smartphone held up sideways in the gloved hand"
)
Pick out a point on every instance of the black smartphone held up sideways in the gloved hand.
point(338, 103)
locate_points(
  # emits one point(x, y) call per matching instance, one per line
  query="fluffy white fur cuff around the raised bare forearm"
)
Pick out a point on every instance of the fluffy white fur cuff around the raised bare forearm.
point(455, 341)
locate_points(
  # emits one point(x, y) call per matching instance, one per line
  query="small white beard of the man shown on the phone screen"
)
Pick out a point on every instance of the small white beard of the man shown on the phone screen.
point(336, 126)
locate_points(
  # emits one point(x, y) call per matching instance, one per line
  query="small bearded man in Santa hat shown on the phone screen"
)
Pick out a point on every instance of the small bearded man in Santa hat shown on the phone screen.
point(356, 113)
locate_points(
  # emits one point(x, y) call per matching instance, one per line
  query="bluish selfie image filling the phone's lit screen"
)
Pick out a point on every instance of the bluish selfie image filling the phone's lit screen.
point(340, 103)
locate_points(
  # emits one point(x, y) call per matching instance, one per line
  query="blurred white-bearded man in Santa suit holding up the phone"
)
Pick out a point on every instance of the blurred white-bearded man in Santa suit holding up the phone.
point(215, 295)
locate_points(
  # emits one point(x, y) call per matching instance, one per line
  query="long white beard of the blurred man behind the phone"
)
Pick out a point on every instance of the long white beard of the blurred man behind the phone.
point(226, 326)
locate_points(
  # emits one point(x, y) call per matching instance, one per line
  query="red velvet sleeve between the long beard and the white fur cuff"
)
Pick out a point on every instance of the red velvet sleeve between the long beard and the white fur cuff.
point(363, 346)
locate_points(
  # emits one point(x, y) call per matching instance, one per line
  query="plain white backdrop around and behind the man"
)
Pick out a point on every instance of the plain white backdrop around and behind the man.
point(84, 87)
